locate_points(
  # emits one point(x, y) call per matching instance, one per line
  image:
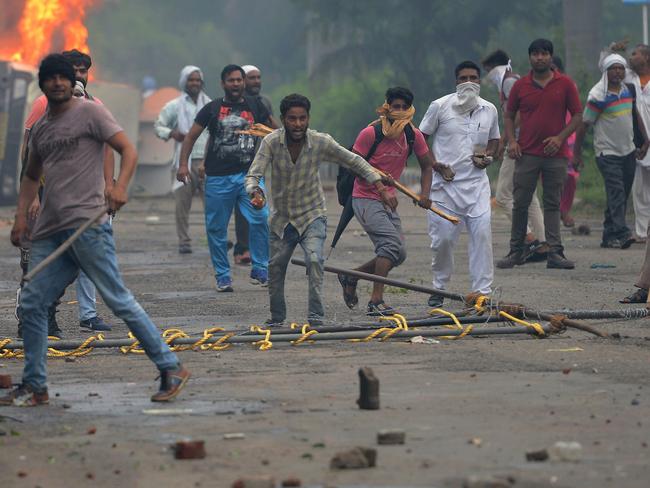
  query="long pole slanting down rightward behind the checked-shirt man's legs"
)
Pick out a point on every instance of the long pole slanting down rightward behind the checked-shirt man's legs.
point(455, 296)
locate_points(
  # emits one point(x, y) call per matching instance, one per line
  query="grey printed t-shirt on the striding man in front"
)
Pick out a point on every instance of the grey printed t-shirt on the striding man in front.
point(71, 148)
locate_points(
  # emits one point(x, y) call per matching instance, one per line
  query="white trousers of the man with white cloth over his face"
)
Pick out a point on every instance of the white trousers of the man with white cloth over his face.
point(444, 236)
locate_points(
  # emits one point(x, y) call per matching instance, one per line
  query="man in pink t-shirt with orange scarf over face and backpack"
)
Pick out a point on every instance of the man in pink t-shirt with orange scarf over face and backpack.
point(386, 144)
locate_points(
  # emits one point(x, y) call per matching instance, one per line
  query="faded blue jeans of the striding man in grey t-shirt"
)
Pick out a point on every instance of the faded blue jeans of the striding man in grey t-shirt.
point(94, 253)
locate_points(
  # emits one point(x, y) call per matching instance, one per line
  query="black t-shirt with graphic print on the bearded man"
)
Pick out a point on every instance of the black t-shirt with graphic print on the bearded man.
point(229, 151)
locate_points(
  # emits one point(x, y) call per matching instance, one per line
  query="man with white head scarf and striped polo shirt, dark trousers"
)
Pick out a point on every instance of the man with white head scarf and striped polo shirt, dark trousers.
point(610, 110)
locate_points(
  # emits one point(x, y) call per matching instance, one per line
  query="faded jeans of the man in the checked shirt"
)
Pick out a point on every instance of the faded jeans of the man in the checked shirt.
point(312, 242)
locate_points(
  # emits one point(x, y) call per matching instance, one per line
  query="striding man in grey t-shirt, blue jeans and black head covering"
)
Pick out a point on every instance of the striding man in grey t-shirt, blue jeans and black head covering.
point(66, 147)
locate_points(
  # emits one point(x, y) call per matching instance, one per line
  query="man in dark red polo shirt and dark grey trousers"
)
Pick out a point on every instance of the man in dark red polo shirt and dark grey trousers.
point(542, 99)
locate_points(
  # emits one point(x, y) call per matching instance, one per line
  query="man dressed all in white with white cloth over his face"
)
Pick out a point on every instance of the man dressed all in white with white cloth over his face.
point(465, 132)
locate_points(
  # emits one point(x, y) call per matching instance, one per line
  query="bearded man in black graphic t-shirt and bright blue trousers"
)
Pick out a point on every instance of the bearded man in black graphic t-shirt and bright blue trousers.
point(229, 154)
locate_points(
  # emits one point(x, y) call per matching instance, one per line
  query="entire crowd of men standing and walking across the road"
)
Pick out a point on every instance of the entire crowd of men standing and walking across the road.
point(219, 152)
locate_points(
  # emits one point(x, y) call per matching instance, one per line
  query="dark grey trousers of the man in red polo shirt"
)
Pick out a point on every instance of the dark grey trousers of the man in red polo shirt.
point(527, 171)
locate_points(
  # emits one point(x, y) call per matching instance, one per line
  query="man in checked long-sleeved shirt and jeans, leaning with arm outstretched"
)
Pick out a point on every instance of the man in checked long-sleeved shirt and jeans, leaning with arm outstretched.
point(298, 215)
